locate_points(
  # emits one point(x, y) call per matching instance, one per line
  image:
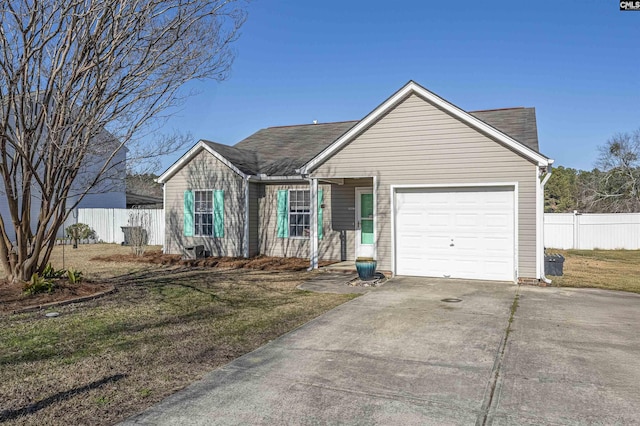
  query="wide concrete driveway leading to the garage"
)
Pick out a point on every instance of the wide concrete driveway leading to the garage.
point(400, 355)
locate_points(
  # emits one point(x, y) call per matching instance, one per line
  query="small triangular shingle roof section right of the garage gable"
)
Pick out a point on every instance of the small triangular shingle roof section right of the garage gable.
point(519, 123)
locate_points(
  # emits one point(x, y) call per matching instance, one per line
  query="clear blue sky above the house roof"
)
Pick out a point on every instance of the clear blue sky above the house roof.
point(577, 62)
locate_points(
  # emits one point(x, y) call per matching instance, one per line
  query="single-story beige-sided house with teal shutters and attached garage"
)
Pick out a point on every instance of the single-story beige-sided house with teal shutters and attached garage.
point(422, 186)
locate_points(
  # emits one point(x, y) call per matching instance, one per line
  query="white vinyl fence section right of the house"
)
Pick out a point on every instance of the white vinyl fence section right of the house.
point(592, 231)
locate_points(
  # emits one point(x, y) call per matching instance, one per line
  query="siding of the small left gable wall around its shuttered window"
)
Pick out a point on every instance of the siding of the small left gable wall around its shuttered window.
point(205, 172)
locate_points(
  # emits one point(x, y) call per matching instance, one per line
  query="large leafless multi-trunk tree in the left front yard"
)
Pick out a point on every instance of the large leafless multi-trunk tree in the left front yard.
point(80, 80)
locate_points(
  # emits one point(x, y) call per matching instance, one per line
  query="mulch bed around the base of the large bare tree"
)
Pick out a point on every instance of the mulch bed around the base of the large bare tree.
point(13, 298)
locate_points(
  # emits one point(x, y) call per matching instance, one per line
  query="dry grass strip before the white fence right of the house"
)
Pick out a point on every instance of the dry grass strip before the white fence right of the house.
point(606, 269)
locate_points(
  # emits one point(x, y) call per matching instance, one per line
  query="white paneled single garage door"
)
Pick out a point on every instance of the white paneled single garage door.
point(458, 233)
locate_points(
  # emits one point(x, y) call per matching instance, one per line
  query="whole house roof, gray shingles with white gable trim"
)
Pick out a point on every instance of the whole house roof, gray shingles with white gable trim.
point(285, 150)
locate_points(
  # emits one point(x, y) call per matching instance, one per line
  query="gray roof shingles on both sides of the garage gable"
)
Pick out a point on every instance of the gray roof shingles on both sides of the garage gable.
point(279, 151)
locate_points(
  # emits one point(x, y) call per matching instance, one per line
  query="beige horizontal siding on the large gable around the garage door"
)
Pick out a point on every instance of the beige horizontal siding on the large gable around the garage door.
point(417, 143)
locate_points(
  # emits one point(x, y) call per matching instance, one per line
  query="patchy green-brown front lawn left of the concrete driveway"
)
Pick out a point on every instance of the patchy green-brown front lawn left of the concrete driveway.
point(104, 360)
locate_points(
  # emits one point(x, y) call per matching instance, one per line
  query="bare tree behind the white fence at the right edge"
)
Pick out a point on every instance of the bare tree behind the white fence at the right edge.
point(615, 186)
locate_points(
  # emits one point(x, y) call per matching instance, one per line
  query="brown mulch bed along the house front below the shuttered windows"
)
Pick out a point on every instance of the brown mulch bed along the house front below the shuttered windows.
point(260, 263)
